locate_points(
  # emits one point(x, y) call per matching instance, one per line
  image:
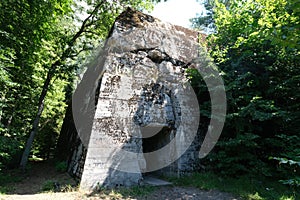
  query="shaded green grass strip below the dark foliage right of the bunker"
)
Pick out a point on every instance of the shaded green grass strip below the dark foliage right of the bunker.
point(246, 187)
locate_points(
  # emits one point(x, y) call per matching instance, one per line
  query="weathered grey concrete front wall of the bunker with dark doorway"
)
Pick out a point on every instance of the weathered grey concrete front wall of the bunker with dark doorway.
point(143, 89)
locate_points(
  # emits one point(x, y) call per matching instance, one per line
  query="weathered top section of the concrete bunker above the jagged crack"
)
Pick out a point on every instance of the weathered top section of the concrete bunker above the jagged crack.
point(130, 20)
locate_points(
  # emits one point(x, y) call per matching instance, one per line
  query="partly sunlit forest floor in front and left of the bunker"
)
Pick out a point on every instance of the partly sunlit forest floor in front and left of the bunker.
point(43, 181)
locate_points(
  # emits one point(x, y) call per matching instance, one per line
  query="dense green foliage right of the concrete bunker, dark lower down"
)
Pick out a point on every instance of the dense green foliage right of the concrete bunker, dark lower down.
point(256, 46)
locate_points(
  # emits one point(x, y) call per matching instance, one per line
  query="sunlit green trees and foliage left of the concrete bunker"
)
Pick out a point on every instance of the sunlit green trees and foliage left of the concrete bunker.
point(43, 45)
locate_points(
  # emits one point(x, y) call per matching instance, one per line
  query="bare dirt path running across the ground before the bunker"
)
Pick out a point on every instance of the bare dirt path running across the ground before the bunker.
point(31, 187)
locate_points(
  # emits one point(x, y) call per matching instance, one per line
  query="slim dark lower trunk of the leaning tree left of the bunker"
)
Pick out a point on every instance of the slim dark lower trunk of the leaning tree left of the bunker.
point(36, 121)
